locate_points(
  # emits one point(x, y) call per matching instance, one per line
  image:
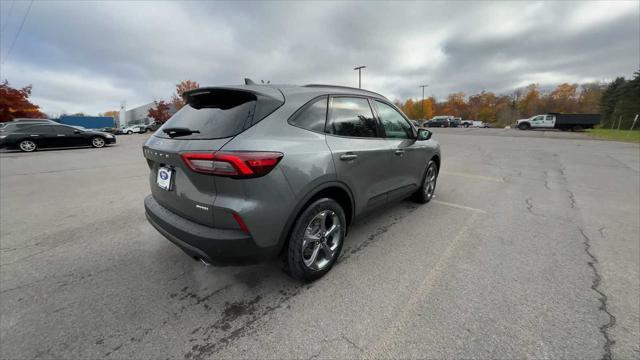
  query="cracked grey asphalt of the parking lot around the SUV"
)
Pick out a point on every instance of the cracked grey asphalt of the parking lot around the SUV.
point(529, 250)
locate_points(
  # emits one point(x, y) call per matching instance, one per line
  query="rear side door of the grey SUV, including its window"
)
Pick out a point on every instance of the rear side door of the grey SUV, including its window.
point(360, 153)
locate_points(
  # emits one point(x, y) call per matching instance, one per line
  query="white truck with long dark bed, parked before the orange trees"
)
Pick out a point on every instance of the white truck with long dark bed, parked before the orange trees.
point(564, 122)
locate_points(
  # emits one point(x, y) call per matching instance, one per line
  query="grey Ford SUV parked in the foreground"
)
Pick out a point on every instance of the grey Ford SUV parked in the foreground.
point(251, 172)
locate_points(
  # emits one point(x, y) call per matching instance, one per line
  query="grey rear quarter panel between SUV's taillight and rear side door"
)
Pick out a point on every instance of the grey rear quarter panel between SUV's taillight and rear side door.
point(268, 202)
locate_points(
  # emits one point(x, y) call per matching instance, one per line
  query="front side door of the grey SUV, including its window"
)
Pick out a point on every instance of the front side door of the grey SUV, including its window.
point(407, 157)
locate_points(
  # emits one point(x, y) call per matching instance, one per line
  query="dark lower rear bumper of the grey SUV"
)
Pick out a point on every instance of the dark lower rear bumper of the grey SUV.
point(215, 246)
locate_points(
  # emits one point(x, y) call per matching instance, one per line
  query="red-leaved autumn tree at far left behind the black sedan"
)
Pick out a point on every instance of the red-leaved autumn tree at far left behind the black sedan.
point(14, 103)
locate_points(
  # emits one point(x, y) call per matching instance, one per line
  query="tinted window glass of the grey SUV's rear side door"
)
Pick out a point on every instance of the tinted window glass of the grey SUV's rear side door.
point(351, 117)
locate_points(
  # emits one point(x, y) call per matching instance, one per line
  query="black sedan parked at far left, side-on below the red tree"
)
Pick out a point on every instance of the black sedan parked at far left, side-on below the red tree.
point(49, 135)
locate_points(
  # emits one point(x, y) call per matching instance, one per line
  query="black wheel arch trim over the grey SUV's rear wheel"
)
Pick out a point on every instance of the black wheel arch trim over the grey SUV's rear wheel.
point(334, 190)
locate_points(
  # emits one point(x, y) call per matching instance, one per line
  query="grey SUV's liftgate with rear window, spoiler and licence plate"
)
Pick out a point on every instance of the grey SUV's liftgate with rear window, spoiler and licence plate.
point(213, 117)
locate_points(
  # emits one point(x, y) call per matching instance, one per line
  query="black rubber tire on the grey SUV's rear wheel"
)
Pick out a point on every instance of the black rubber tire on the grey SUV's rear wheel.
point(296, 247)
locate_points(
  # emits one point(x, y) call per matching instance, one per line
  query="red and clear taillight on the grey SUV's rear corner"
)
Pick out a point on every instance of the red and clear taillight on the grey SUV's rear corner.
point(234, 164)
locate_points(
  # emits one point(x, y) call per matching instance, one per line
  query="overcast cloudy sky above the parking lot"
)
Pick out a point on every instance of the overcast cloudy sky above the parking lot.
point(86, 56)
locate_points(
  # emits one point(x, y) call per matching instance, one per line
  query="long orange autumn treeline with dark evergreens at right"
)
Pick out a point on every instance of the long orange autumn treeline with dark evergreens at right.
point(620, 98)
